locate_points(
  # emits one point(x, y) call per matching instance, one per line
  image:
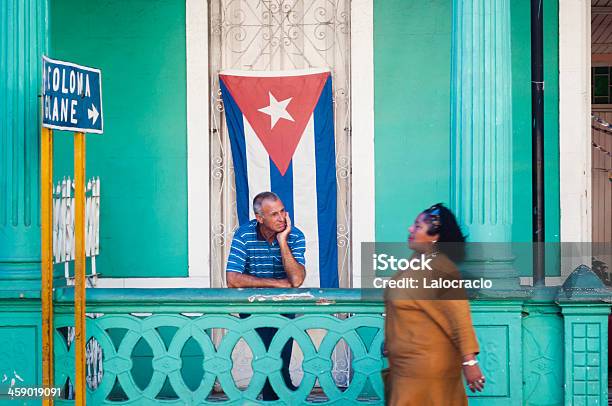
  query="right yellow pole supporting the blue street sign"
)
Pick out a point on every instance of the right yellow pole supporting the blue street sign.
point(79, 266)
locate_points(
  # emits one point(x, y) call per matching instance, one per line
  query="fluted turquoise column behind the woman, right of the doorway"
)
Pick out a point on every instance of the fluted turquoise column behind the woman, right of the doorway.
point(481, 134)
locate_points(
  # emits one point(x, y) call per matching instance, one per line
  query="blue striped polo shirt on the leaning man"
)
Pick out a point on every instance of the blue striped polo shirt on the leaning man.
point(251, 254)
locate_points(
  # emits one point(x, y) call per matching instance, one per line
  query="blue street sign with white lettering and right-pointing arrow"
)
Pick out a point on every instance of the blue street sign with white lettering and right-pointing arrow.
point(72, 97)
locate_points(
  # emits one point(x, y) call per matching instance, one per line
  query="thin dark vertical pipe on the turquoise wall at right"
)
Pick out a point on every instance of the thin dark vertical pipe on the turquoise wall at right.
point(537, 140)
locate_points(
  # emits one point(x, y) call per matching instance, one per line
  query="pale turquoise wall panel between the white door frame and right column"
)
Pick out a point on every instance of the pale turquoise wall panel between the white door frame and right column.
point(412, 43)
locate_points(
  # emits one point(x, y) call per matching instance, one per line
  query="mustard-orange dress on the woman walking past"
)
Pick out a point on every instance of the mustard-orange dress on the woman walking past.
point(426, 341)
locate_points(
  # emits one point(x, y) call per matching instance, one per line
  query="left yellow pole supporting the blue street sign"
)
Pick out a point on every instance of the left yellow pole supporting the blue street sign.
point(46, 203)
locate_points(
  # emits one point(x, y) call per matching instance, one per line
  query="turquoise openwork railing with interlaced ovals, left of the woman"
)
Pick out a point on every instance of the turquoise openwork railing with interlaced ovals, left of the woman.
point(115, 337)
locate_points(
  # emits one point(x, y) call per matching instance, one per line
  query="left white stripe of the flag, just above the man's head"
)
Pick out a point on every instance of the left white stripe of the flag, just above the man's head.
point(258, 165)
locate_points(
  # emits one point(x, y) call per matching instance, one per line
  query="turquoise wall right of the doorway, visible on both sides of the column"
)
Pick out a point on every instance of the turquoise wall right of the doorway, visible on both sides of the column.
point(412, 54)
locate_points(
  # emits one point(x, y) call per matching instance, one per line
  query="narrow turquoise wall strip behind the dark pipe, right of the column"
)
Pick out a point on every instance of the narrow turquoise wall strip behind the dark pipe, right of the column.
point(521, 120)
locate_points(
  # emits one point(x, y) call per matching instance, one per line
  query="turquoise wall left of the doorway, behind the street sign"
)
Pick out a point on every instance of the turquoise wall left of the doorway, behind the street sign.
point(142, 156)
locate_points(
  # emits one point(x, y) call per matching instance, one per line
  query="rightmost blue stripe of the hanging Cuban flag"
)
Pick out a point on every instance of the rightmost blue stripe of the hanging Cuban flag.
point(325, 154)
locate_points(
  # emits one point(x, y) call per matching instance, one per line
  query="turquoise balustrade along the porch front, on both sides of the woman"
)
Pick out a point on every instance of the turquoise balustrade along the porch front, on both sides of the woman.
point(532, 352)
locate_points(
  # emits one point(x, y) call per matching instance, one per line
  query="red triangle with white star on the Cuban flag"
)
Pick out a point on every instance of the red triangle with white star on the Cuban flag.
point(277, 108)
